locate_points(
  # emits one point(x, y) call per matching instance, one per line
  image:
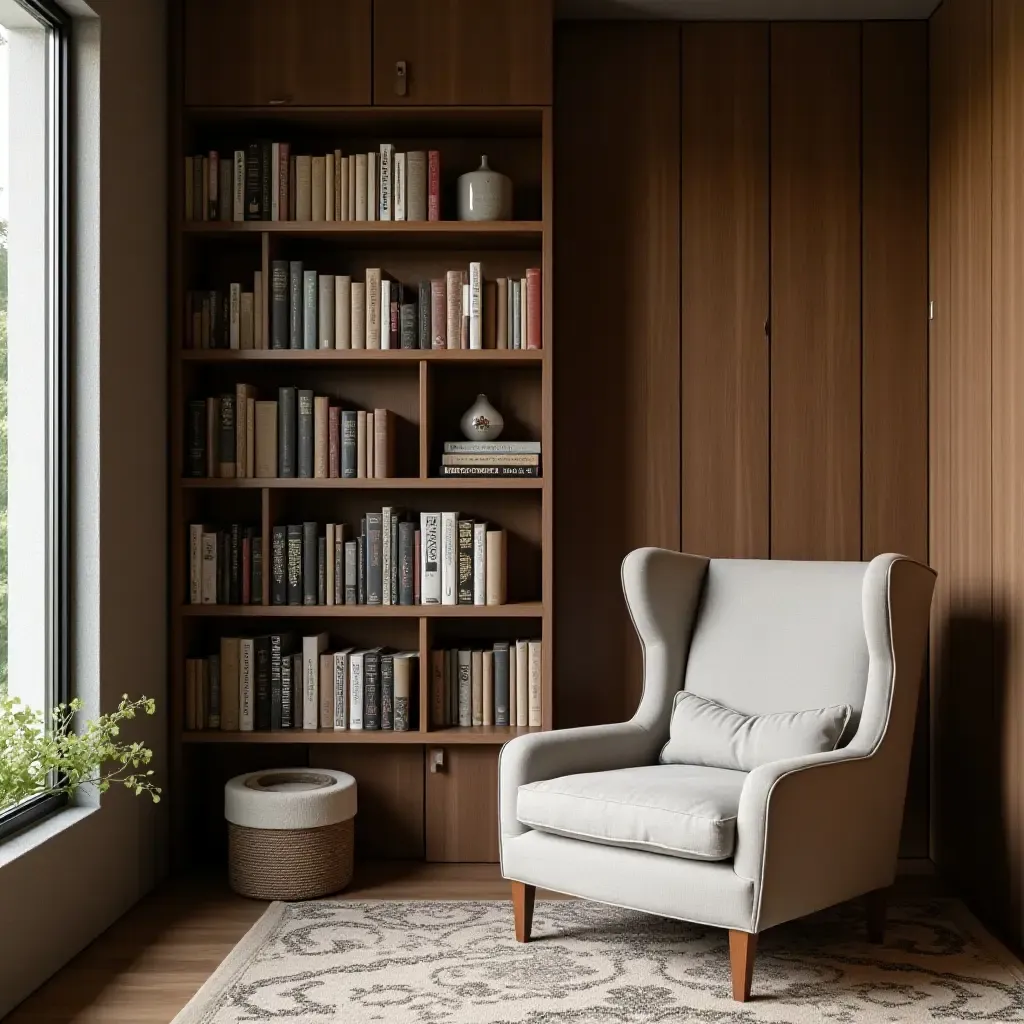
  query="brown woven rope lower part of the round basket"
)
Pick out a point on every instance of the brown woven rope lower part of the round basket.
point(304, 864)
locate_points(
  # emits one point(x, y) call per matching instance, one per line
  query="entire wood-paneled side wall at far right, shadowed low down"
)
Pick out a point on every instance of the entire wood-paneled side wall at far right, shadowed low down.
point(977, 453)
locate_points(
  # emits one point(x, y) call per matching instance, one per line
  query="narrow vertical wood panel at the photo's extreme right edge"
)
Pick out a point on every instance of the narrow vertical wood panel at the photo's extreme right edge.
point(1008, 431)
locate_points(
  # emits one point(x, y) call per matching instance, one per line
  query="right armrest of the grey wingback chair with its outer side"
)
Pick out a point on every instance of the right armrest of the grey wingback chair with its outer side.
point(816, 831)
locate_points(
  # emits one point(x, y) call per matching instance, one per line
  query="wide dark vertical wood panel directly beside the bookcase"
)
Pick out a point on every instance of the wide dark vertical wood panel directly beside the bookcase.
point(617, 356)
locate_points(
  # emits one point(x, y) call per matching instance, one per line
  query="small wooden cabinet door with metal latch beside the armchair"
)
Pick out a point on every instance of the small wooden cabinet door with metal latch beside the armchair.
point(461, 815)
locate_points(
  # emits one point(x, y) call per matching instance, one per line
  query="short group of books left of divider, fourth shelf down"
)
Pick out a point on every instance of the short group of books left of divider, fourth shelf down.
point(226, 567)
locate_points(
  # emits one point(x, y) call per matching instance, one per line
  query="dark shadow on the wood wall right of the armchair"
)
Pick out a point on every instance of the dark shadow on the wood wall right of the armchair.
point(973, 839)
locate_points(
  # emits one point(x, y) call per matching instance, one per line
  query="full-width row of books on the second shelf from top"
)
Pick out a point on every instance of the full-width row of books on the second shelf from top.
point(311, 311)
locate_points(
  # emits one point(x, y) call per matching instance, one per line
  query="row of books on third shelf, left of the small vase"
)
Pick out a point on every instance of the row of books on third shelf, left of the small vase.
point(300, 436)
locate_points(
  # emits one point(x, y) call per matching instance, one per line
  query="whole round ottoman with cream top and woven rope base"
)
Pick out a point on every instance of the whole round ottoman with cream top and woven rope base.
point(290, 833)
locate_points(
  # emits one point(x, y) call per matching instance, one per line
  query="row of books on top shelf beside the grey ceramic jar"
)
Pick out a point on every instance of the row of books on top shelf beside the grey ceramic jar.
point(267, 182)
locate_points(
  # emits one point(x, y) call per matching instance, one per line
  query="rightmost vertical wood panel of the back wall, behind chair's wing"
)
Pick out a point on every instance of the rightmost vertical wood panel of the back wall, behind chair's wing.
point(894, 463)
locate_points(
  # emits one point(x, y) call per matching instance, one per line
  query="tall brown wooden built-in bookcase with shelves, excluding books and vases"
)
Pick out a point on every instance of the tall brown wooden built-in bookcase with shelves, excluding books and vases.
point(428, 391)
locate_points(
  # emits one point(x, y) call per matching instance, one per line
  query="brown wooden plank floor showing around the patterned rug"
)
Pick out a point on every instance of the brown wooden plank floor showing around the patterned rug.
point(152, 962)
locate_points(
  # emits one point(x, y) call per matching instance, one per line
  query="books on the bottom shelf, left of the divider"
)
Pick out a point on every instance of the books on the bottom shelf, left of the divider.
point(281, 682)
